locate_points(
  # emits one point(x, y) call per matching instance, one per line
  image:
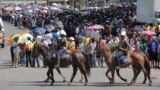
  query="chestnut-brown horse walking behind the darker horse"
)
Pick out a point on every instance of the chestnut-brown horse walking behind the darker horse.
point(138, 60)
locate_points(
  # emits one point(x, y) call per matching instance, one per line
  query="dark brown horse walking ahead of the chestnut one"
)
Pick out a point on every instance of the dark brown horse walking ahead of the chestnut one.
point(76, 58)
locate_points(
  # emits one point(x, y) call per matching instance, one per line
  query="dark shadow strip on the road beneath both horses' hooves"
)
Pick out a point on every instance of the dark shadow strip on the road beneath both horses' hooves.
point(60, 83)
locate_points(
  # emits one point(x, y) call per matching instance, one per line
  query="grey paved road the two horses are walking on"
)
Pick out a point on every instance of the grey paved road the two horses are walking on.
point(32, 78)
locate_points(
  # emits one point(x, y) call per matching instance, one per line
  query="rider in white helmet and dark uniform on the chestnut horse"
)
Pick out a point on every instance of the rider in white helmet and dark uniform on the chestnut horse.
point(122, 51)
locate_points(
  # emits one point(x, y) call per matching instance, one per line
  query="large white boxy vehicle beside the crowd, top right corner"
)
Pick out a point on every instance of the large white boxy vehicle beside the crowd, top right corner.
point(148, 11)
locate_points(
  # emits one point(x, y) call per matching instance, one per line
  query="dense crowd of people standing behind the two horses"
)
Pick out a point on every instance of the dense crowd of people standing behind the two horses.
point(69, 24)
